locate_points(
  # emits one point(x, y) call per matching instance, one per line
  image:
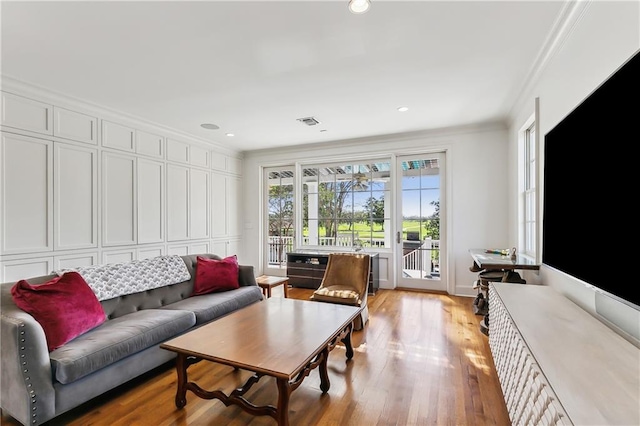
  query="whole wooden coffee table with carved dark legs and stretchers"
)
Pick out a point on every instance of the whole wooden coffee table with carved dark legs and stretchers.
point(257, 338)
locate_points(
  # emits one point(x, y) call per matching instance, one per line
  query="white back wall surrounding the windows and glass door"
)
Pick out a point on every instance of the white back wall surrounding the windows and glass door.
point(476, 190)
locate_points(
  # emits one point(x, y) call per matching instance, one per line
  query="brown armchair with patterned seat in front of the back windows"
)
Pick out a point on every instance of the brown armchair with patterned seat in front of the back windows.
point(346, 281)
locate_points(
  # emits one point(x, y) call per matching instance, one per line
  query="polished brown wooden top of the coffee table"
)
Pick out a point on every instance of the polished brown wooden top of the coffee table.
point(261, 337)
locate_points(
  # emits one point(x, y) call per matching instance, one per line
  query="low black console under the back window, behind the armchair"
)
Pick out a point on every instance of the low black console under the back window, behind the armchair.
point(306, 269)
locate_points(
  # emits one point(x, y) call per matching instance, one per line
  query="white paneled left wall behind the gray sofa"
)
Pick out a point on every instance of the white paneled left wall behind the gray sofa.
point(83, 185)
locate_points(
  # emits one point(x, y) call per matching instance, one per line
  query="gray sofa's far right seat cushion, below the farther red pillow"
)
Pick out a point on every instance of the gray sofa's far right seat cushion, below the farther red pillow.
point(214, 305)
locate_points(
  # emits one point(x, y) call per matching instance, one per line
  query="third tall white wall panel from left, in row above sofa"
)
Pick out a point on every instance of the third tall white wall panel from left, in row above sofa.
point(118, 199)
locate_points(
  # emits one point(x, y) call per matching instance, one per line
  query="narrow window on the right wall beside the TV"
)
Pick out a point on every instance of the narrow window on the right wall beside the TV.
point(528, 210)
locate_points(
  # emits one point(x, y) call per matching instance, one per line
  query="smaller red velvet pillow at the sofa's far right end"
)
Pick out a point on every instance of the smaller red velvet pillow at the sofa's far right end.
point(216, 275)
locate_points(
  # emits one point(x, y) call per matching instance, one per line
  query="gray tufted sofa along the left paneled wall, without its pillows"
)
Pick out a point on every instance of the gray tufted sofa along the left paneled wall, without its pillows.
point(38, 385)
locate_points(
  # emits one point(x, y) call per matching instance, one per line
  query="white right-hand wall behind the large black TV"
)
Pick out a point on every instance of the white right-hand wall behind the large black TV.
point(603, 36)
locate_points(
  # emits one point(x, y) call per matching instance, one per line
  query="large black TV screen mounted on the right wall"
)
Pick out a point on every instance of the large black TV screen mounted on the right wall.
point(591, 176)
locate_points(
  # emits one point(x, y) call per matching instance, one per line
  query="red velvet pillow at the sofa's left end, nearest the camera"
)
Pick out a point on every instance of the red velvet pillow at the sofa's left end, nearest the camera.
point(65, 307)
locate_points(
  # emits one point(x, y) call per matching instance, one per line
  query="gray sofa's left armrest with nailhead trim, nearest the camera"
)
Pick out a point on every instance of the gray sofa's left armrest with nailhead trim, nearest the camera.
point(26, 388)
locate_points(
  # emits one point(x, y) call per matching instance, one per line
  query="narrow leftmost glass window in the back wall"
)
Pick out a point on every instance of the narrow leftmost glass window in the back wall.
point(280, 207)
